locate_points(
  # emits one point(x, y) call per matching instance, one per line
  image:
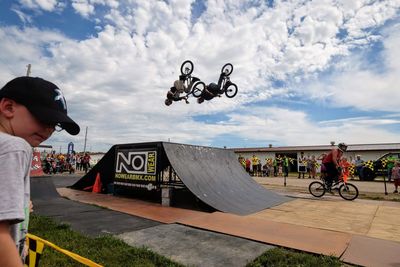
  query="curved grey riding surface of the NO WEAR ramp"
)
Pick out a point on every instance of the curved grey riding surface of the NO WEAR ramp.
point(216, 177)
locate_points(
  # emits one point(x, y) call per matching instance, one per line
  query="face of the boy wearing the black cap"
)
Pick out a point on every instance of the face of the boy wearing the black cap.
point(26, 126)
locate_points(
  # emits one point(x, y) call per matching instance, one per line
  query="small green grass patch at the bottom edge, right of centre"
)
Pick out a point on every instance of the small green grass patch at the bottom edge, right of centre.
point(279, 257)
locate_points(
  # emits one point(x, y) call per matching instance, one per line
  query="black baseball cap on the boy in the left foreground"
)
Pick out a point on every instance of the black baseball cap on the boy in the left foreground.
point(43, 99)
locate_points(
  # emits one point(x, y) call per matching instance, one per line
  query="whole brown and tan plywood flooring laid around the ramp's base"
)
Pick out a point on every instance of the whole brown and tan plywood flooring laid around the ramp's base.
point(360, 232)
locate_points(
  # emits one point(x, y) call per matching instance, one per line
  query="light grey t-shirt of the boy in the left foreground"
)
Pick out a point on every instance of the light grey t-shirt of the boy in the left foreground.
point(15, 163)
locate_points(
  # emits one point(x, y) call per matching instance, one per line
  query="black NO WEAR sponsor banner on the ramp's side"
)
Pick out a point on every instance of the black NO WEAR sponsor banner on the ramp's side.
point(135, 168)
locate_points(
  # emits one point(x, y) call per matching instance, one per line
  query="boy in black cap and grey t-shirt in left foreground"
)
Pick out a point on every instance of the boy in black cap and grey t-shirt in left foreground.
point(30, 110)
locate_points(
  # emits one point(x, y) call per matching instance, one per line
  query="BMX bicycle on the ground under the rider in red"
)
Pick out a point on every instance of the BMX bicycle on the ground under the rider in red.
point(346, 190)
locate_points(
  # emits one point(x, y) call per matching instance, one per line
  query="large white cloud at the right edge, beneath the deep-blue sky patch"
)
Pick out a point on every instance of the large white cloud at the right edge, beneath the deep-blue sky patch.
point(362, 87)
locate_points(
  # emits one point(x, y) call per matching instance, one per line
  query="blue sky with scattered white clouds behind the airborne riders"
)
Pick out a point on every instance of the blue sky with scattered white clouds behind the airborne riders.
point(308, 72)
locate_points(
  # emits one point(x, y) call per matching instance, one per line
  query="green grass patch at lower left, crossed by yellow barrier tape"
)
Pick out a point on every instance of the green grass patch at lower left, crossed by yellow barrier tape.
point(105, 250)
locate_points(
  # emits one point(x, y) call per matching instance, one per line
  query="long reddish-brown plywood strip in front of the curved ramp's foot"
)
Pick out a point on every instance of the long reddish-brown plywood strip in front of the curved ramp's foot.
point(283, 234)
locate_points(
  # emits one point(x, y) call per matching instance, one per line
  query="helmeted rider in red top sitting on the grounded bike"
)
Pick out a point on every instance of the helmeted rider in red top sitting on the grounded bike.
point(332, 164)
